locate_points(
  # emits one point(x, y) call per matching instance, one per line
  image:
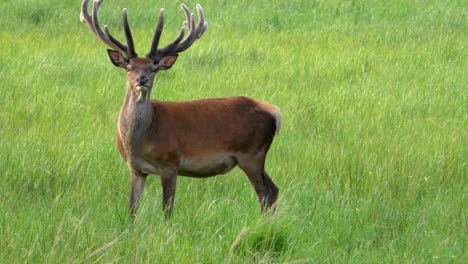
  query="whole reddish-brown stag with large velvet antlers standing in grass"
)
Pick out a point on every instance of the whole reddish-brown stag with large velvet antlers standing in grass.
point(199, 138)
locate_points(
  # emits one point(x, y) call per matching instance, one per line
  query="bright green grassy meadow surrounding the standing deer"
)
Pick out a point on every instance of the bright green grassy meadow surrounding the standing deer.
point(371, 161)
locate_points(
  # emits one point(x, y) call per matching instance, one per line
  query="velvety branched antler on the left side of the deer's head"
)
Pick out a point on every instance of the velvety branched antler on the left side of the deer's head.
point(106, 36)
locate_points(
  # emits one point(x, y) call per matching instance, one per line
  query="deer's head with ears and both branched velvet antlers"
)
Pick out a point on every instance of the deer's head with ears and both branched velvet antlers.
point(142, 70)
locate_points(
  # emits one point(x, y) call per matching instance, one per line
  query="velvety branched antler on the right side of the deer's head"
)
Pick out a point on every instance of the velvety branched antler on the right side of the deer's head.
point(177, 46)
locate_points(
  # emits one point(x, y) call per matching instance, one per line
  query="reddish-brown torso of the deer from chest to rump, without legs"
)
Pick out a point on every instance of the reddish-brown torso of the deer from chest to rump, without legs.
point(193, 147)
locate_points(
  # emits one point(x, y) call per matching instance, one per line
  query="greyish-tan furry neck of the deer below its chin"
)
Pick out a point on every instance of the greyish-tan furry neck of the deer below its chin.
point(135, 117)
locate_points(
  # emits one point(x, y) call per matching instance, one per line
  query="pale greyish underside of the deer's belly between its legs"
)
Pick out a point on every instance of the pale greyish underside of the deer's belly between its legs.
point(206, 167)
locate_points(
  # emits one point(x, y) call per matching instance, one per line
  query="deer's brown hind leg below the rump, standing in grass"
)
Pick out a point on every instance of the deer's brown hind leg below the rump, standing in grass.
point(267, 191)
